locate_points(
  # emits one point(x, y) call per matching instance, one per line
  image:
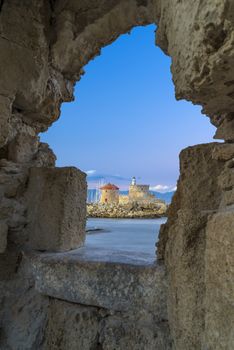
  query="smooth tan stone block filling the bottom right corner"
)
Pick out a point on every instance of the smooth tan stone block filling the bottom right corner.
point(219, 276)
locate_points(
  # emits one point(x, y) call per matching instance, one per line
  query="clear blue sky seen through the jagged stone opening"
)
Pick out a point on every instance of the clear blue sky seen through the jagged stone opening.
point(125, 120)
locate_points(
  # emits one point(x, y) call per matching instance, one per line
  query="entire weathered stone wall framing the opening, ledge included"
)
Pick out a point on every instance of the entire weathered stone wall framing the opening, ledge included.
point(53, 298)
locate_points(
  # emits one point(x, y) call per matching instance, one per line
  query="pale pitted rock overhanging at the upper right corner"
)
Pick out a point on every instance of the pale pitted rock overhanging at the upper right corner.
point(202, 51)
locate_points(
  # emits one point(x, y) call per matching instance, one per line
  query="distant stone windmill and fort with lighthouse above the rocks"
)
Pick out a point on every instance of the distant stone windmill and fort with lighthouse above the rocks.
point(137, 194)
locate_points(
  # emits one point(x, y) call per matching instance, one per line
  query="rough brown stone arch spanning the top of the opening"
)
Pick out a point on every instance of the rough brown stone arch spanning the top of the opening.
point(202, 60)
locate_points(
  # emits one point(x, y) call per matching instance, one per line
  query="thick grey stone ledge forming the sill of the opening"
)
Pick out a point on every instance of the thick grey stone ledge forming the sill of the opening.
point(111, 280)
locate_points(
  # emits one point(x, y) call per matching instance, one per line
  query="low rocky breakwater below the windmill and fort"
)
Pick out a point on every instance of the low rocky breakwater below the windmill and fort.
point(130, 210)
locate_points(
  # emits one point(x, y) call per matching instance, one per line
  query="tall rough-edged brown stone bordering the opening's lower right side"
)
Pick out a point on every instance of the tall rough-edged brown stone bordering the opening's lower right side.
point(184, 241)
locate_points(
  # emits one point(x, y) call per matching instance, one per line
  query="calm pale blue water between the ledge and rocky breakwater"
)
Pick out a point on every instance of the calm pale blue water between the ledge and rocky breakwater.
point(132, 235)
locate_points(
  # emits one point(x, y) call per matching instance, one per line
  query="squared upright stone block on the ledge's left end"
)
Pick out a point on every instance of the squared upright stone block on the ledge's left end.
point(56, 208)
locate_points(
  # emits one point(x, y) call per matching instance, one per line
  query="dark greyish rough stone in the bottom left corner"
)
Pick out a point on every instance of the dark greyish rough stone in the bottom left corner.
point(23, 312)
